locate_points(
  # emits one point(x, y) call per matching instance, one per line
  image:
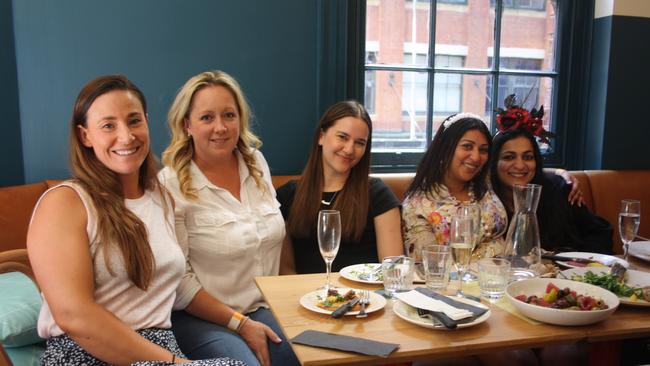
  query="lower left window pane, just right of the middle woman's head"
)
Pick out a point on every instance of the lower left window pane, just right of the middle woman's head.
point(400, 108)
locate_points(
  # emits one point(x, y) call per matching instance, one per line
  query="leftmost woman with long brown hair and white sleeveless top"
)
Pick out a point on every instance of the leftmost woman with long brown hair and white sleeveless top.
point(102, 245)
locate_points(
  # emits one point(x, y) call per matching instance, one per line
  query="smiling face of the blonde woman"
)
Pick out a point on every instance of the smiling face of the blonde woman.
point(213, 123)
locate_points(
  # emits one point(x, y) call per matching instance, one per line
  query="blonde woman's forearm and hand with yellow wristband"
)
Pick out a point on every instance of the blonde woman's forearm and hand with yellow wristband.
point(208, 308)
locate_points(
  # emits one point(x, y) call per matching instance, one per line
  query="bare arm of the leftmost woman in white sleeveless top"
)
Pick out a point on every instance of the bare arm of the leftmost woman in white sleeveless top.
point(58, 249)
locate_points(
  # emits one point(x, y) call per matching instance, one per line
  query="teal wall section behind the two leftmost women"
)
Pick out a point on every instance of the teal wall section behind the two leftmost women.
point(271, 47)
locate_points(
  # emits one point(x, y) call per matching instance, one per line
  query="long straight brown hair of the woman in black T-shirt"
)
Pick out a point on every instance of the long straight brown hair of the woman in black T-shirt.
point(352, 201)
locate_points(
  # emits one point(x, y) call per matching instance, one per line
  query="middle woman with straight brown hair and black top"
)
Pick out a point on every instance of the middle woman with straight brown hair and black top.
point(336, 177)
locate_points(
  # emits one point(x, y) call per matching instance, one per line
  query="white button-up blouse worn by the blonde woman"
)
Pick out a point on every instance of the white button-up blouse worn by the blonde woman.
point(227, 242)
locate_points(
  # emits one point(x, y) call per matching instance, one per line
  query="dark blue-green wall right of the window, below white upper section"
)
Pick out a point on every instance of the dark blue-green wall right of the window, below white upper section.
point(618, 127)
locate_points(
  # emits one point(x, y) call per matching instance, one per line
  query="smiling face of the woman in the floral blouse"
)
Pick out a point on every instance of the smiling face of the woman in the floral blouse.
point(469, 157)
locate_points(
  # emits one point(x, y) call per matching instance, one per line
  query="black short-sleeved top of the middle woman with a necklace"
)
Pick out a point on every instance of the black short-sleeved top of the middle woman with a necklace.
point(306, 253)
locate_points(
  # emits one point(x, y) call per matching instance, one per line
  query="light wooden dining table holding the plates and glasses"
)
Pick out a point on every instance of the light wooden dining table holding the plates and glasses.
point(500, 332)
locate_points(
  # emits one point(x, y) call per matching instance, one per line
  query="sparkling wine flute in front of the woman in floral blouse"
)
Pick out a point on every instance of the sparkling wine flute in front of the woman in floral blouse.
point(461, 241)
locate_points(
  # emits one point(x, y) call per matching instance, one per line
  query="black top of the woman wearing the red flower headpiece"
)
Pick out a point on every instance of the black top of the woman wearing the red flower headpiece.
point(566, 227)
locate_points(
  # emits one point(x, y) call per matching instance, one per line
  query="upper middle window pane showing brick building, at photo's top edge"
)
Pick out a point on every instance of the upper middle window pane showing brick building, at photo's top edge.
point(465, 30)
